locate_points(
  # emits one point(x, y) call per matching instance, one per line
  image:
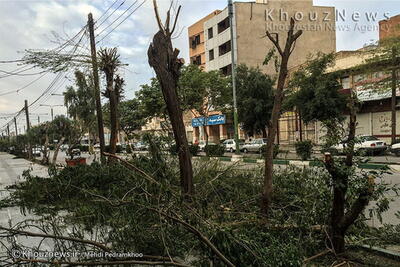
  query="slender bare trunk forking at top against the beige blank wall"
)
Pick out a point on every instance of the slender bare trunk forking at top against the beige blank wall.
point(276, 110)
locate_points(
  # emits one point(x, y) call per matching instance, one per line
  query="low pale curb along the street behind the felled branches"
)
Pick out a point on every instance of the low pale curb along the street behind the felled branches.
point(313, 163)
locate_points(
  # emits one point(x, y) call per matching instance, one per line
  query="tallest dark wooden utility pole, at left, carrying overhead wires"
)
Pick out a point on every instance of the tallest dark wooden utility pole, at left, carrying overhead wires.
point(96, 86)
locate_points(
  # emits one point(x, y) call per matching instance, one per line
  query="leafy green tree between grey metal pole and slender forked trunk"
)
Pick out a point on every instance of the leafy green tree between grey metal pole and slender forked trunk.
point(255, 94)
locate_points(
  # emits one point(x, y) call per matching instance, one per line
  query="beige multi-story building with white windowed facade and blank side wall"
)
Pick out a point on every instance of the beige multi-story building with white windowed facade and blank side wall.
point(251, 20)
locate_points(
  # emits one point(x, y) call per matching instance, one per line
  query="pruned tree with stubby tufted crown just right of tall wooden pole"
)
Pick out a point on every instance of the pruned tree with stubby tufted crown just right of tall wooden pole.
point(109, 64)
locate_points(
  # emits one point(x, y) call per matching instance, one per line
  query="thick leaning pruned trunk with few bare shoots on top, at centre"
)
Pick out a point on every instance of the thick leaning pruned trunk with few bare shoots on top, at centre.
point(164, 60)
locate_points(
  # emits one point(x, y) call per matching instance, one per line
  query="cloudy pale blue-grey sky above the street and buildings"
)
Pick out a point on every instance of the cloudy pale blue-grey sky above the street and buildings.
point(31, 24)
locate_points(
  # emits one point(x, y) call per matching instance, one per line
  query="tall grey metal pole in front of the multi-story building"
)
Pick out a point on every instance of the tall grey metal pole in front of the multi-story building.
point(235, 113)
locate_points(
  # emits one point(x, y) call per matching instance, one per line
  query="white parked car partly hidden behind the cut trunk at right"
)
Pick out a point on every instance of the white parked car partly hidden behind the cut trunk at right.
point(366, 143)
